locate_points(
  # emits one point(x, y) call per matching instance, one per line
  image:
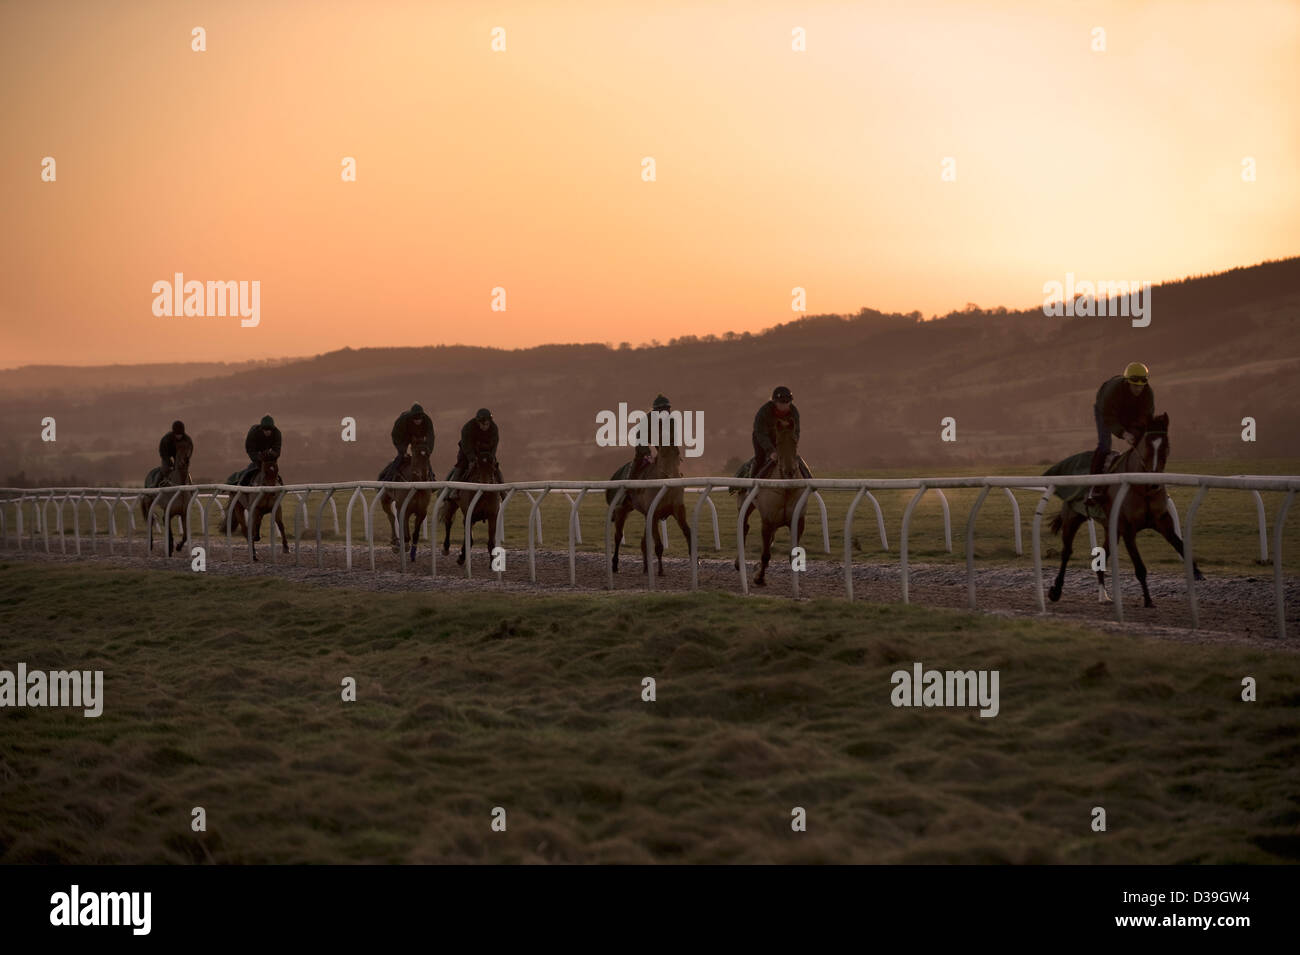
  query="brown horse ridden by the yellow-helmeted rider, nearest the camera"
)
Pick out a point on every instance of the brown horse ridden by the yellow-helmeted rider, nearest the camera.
point(1145, 507)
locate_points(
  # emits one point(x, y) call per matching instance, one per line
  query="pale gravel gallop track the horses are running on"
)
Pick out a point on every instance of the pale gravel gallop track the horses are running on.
point(1233, 610)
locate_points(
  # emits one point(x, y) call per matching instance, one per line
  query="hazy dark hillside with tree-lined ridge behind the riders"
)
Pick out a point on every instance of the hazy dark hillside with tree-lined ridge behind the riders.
point(872, 390)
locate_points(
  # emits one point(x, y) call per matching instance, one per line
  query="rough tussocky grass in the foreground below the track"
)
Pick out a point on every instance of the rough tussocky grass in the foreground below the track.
point(226, 693)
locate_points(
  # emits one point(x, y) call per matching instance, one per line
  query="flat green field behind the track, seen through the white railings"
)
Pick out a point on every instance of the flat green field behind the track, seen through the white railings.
point(1227, 526)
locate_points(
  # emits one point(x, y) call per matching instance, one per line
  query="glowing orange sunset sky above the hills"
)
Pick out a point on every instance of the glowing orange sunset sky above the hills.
point(523, 168)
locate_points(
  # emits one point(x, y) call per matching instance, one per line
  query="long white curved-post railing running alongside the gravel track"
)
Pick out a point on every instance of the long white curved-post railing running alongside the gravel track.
point(536, 492)
